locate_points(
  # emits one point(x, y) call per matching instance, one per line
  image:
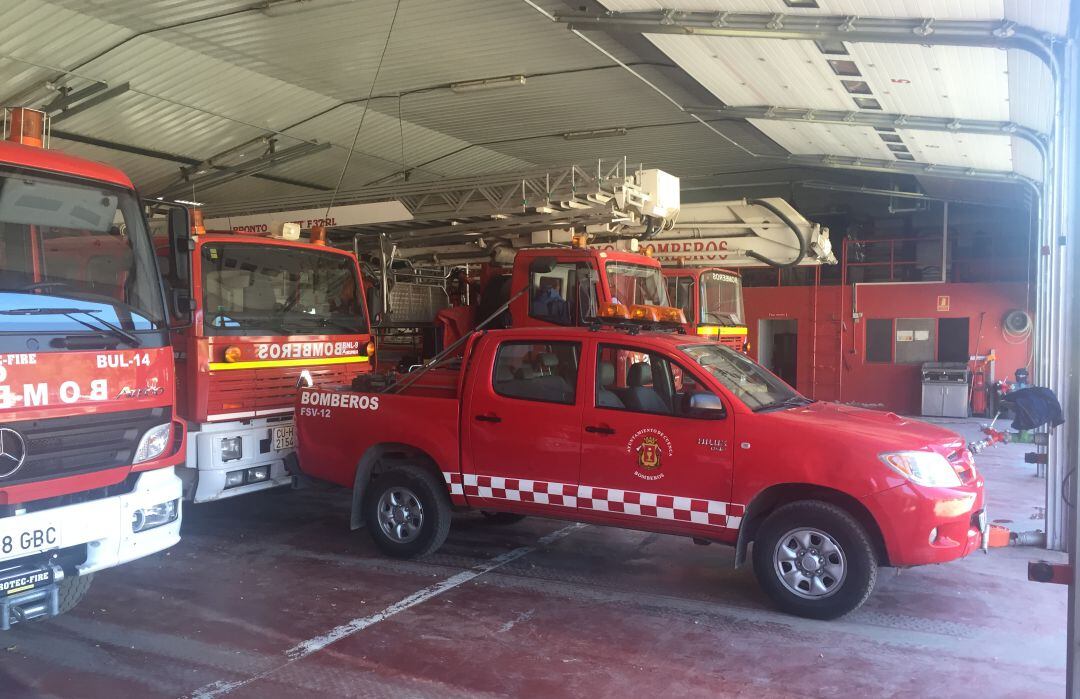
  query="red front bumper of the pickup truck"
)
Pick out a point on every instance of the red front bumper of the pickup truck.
point(923, 526)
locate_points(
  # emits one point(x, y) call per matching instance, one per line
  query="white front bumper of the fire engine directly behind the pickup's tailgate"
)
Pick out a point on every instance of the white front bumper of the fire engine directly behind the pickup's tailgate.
point(226, 460)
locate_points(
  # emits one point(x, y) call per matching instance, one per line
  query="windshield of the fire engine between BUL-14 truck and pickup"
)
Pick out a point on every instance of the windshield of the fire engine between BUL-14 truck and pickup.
point(277, 290)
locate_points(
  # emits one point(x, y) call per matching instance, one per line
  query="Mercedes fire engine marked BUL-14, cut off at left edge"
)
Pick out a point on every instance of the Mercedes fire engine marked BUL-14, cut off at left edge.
point(89, 437)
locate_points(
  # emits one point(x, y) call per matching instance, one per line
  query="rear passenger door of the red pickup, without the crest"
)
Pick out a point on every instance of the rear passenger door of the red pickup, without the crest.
point(522, 428)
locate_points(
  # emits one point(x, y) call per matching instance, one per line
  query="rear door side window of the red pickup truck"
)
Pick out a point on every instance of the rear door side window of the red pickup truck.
point(546, 372)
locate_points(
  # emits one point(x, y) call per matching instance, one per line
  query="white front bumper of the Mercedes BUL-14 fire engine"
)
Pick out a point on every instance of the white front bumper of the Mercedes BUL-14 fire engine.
point(42, 548)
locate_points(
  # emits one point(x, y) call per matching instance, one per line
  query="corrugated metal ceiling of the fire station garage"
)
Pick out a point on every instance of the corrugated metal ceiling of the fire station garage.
point(231, 75)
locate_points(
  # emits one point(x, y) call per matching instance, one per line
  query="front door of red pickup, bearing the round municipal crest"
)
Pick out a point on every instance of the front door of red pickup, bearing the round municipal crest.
point(650, 460)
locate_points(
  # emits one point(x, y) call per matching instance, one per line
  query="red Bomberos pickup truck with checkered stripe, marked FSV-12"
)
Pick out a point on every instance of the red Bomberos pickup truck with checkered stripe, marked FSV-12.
point(654, 432)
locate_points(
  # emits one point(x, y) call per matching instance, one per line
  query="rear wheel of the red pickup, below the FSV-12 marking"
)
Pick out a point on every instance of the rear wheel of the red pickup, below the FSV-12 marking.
point(408, 513)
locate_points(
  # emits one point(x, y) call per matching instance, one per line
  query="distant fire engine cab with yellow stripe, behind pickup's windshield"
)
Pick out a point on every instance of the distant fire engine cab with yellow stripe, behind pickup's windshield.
point(711, 301)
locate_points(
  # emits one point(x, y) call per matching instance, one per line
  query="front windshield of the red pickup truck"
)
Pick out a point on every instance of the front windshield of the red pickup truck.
point(747, 380)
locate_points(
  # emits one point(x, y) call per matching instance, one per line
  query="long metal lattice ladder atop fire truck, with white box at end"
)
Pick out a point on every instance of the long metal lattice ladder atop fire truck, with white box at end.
point(440, 213)
